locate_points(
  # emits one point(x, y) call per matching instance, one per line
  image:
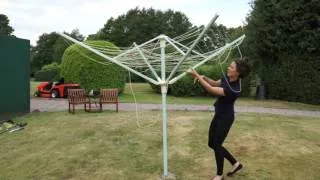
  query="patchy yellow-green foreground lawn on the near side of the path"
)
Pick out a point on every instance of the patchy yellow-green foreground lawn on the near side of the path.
point(111, 146)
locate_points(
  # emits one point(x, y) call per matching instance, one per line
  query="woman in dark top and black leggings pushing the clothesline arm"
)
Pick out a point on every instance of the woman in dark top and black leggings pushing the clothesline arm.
point(228, 90)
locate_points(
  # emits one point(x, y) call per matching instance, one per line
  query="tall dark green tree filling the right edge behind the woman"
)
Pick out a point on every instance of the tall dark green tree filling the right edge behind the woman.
point(283, 37)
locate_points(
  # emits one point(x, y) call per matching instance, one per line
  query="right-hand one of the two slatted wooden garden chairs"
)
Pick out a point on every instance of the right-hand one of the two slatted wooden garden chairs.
point(109, 96)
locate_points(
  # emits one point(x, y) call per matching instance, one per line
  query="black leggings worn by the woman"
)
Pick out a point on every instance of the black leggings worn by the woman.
point(219, 128)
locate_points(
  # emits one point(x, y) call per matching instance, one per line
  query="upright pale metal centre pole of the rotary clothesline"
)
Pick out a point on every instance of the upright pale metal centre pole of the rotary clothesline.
point(164, 88)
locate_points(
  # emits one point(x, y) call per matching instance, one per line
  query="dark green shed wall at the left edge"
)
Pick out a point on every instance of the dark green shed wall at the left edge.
point(14, 76)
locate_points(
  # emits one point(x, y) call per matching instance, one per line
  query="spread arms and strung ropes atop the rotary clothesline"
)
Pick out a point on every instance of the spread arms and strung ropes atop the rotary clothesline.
point(146, 58)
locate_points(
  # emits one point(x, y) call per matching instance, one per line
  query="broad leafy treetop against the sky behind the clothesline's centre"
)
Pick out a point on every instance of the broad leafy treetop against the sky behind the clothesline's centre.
point(140, 25)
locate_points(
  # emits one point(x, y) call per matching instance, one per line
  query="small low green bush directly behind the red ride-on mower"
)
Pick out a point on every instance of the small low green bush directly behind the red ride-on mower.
point(49, 72)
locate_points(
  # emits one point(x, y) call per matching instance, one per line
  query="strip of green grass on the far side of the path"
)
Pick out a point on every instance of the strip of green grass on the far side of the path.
point(144, 94)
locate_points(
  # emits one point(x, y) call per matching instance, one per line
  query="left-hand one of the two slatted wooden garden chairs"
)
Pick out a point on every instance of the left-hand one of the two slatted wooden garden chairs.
point(77, 97)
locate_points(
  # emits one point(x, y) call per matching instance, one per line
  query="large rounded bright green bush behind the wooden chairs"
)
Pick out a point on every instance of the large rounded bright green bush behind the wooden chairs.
point(78, 66)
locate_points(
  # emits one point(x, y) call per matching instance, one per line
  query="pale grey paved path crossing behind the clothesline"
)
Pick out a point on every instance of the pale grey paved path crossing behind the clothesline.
point(52, 105)
